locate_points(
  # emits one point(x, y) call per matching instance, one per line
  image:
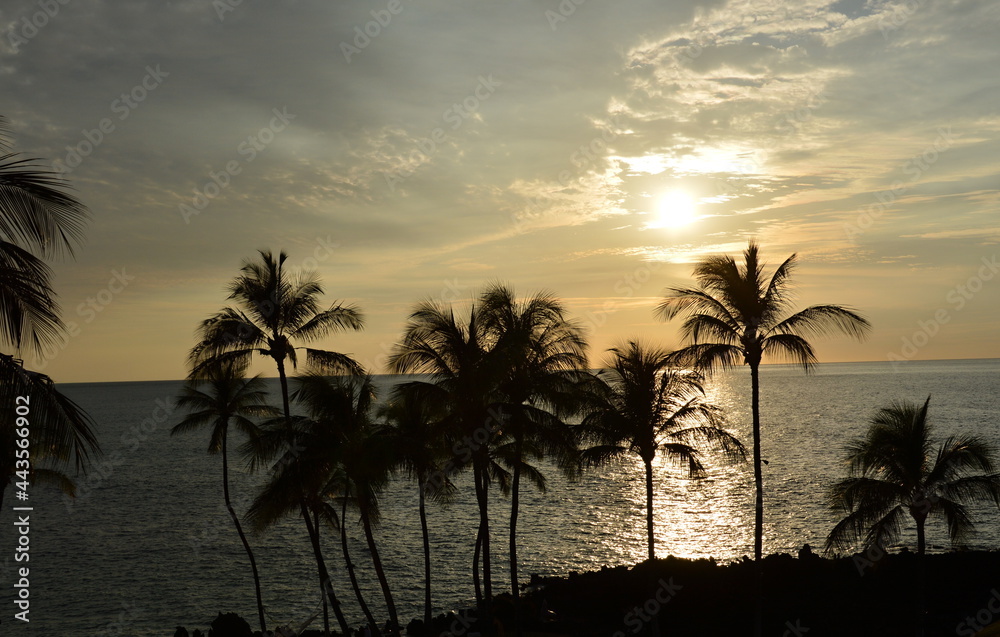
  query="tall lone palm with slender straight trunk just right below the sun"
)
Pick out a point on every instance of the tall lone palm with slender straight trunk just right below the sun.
point(737, 314)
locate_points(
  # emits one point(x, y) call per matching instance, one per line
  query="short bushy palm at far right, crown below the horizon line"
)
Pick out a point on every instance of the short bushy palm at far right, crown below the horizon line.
point(896, 472)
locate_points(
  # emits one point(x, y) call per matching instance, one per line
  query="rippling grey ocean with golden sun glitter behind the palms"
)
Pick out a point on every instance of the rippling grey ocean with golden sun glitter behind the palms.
point(148, 546)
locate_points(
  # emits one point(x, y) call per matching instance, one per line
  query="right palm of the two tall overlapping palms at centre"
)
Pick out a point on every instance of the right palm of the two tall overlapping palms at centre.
point(545, 357)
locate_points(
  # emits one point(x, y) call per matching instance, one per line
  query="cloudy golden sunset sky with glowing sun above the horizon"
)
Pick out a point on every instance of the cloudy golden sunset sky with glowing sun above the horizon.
point(412, 151)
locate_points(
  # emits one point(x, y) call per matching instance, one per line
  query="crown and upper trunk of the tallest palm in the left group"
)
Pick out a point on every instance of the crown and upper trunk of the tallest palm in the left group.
point(273, 312)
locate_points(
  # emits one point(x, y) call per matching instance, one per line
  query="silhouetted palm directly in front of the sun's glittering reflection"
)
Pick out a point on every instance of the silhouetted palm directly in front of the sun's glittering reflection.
point(648, 407)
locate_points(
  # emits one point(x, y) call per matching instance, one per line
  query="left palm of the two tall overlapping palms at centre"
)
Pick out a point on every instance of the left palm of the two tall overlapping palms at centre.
point(465, 378)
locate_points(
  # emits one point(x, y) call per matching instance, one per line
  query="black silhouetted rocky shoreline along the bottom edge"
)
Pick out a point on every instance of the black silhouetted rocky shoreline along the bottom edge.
point(876, 594)
